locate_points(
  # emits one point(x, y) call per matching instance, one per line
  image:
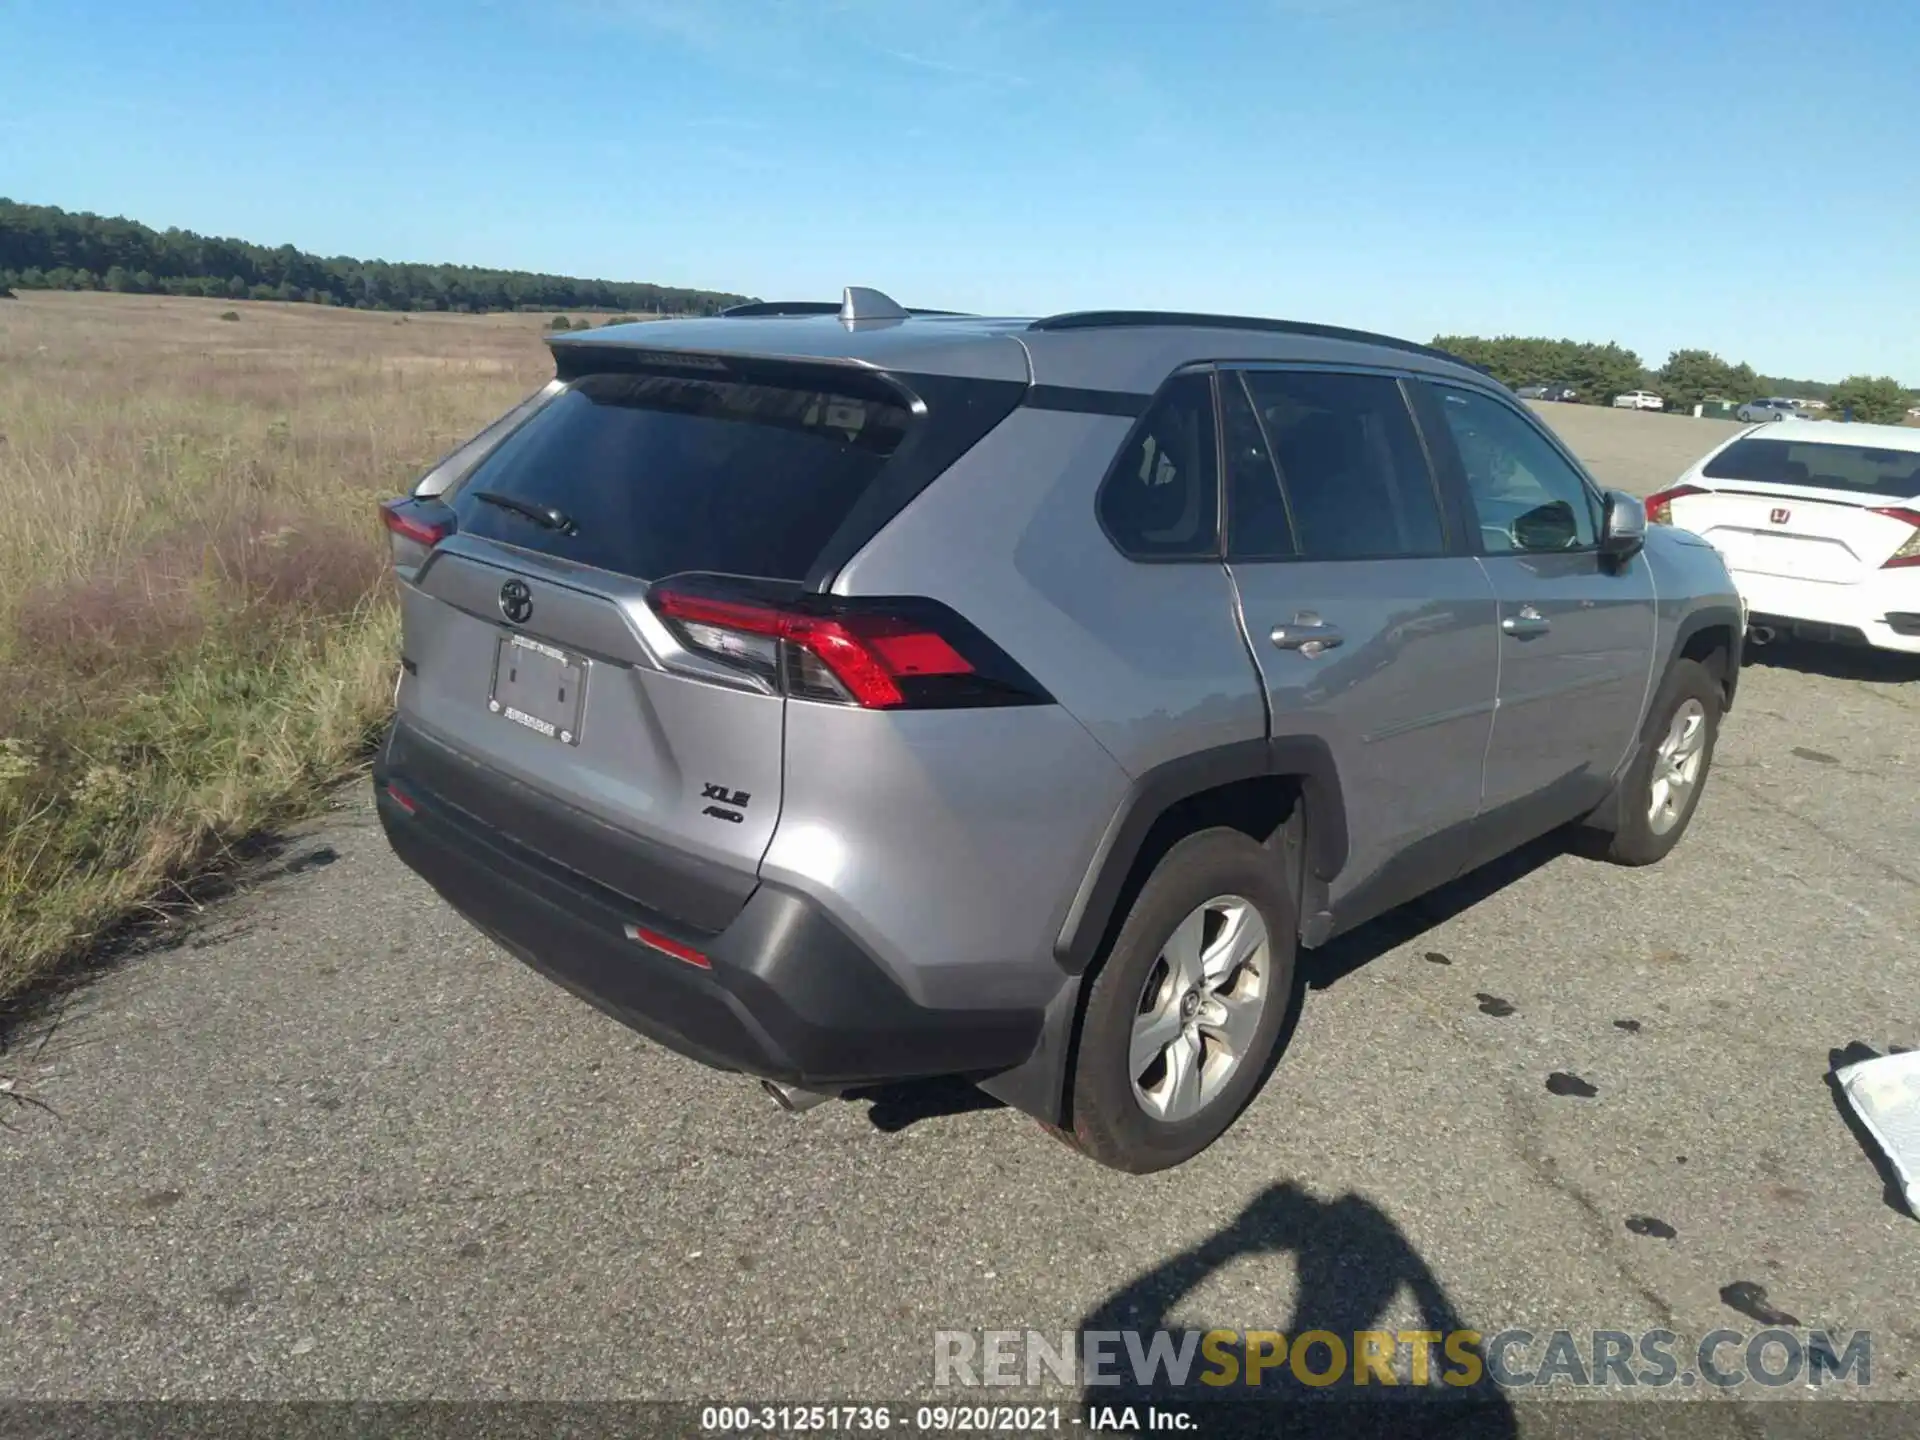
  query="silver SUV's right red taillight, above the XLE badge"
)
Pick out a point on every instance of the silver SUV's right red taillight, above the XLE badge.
point(876, 654)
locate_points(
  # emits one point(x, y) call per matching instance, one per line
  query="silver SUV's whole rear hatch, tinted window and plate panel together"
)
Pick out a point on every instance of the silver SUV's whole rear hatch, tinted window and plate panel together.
point(554, 692)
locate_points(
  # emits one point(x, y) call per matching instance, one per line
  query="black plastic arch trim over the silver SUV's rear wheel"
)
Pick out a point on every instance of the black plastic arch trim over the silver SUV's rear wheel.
point(1153, 794)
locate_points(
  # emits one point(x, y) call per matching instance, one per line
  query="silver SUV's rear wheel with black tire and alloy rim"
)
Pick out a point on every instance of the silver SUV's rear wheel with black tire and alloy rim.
point(1199, 976)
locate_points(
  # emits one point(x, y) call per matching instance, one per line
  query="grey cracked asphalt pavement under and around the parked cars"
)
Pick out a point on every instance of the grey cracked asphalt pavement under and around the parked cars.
point(324, 1141)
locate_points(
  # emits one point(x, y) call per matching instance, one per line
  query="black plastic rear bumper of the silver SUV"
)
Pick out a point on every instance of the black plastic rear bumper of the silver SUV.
point(788, 994)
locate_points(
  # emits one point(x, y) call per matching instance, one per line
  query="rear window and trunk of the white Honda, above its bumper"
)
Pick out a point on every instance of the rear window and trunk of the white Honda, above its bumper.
point(1802, 510)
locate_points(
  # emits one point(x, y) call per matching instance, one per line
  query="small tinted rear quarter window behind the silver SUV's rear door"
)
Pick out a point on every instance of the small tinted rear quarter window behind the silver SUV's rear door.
point(1163, 496)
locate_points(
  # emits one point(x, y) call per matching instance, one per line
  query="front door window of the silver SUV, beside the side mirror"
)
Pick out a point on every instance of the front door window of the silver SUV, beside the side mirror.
point(1525, 494)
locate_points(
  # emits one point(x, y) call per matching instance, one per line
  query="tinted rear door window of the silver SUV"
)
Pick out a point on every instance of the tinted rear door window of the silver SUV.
point(1351, 466)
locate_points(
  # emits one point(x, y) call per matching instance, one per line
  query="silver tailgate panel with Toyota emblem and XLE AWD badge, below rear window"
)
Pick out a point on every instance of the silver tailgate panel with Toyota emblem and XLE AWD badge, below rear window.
point(565, 734)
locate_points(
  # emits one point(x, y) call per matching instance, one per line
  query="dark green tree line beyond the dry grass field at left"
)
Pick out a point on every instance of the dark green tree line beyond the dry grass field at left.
point(51, 249)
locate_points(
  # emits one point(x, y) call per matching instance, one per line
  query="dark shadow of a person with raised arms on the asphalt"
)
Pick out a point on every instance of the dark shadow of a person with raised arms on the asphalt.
point(1353, 1264)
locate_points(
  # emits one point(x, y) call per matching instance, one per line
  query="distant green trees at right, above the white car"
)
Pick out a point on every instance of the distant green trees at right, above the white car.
point(1689, 377)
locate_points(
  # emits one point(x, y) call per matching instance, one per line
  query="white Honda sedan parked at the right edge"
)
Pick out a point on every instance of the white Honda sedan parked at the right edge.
point(1819, 527)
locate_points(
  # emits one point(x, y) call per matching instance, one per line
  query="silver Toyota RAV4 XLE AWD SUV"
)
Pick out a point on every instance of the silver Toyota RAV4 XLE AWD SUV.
point(848, 694)
